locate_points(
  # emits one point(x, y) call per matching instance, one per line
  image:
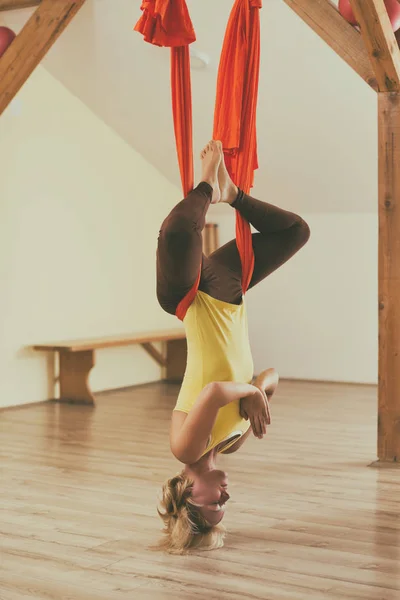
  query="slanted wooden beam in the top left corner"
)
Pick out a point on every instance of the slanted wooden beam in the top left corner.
point(32, 43)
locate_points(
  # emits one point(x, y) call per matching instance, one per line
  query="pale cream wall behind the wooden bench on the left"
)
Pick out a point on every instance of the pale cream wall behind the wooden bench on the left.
point(79, 217)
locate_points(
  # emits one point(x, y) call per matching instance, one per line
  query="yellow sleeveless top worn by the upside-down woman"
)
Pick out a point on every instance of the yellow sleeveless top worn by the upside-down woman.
point(218, 350)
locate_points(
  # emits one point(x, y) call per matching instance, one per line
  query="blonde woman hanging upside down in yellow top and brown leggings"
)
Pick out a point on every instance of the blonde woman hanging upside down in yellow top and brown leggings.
point(217, 407)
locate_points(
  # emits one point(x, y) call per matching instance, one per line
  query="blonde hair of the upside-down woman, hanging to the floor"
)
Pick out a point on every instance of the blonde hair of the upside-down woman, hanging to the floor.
point(185, 527)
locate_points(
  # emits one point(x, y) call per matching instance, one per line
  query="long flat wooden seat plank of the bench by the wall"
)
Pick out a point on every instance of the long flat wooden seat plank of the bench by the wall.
point(129, 339)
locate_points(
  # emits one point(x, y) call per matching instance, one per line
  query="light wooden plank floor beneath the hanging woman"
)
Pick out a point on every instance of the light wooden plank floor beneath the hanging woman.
point(308, 518)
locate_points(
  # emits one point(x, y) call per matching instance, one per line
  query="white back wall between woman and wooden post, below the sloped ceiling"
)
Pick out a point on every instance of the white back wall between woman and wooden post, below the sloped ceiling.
point(316, 317)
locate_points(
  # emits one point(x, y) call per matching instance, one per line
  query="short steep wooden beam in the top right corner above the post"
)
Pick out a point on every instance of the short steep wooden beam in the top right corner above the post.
point(380, 41)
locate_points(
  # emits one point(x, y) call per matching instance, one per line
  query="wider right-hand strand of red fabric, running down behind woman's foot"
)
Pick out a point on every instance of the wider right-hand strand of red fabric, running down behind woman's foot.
point(236, 111)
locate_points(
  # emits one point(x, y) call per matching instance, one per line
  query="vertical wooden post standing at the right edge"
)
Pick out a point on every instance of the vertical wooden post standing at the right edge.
point(389, 278)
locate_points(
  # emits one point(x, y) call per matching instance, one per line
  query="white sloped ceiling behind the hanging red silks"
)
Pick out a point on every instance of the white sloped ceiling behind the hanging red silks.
point(317, 118)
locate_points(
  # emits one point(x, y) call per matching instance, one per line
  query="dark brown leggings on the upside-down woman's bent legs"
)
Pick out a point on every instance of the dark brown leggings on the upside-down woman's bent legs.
point(179, 254)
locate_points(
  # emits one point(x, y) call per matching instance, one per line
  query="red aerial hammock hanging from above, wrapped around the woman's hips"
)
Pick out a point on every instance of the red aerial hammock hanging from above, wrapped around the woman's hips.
point(167, 23)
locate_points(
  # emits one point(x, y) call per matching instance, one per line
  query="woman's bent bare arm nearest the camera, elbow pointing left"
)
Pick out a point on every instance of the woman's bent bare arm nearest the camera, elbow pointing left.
point(190, 439)
